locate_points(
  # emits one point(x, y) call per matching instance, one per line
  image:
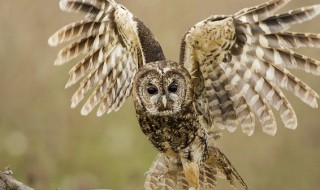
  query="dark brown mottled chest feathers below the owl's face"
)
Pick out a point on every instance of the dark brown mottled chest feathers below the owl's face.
point(170, 133)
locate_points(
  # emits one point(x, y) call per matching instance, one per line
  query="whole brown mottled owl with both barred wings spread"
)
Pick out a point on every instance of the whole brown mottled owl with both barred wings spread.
point(232, 69)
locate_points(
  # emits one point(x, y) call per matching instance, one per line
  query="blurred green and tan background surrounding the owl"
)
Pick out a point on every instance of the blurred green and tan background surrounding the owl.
point(49, 145)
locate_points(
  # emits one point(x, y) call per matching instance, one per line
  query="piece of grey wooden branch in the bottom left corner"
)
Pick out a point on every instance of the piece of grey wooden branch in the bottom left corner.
point(7, 182)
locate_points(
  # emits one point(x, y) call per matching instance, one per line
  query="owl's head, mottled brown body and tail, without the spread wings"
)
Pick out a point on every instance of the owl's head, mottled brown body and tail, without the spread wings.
point(163, 97)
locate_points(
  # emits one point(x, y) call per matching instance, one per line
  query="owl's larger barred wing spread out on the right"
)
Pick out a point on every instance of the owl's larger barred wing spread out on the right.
point(239, 64)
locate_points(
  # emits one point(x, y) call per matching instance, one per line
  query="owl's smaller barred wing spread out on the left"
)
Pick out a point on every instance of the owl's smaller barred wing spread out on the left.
point(114, 43)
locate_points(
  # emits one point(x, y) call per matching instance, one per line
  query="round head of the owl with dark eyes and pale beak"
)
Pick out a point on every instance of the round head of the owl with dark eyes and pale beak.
point(162, 88)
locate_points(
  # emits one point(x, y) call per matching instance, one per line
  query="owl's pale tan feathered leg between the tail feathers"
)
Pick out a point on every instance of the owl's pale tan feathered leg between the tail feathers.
point(191, 172)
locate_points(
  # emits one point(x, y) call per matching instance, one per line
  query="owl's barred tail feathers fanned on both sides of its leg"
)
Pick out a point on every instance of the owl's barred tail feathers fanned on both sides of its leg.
point(167, 173)
